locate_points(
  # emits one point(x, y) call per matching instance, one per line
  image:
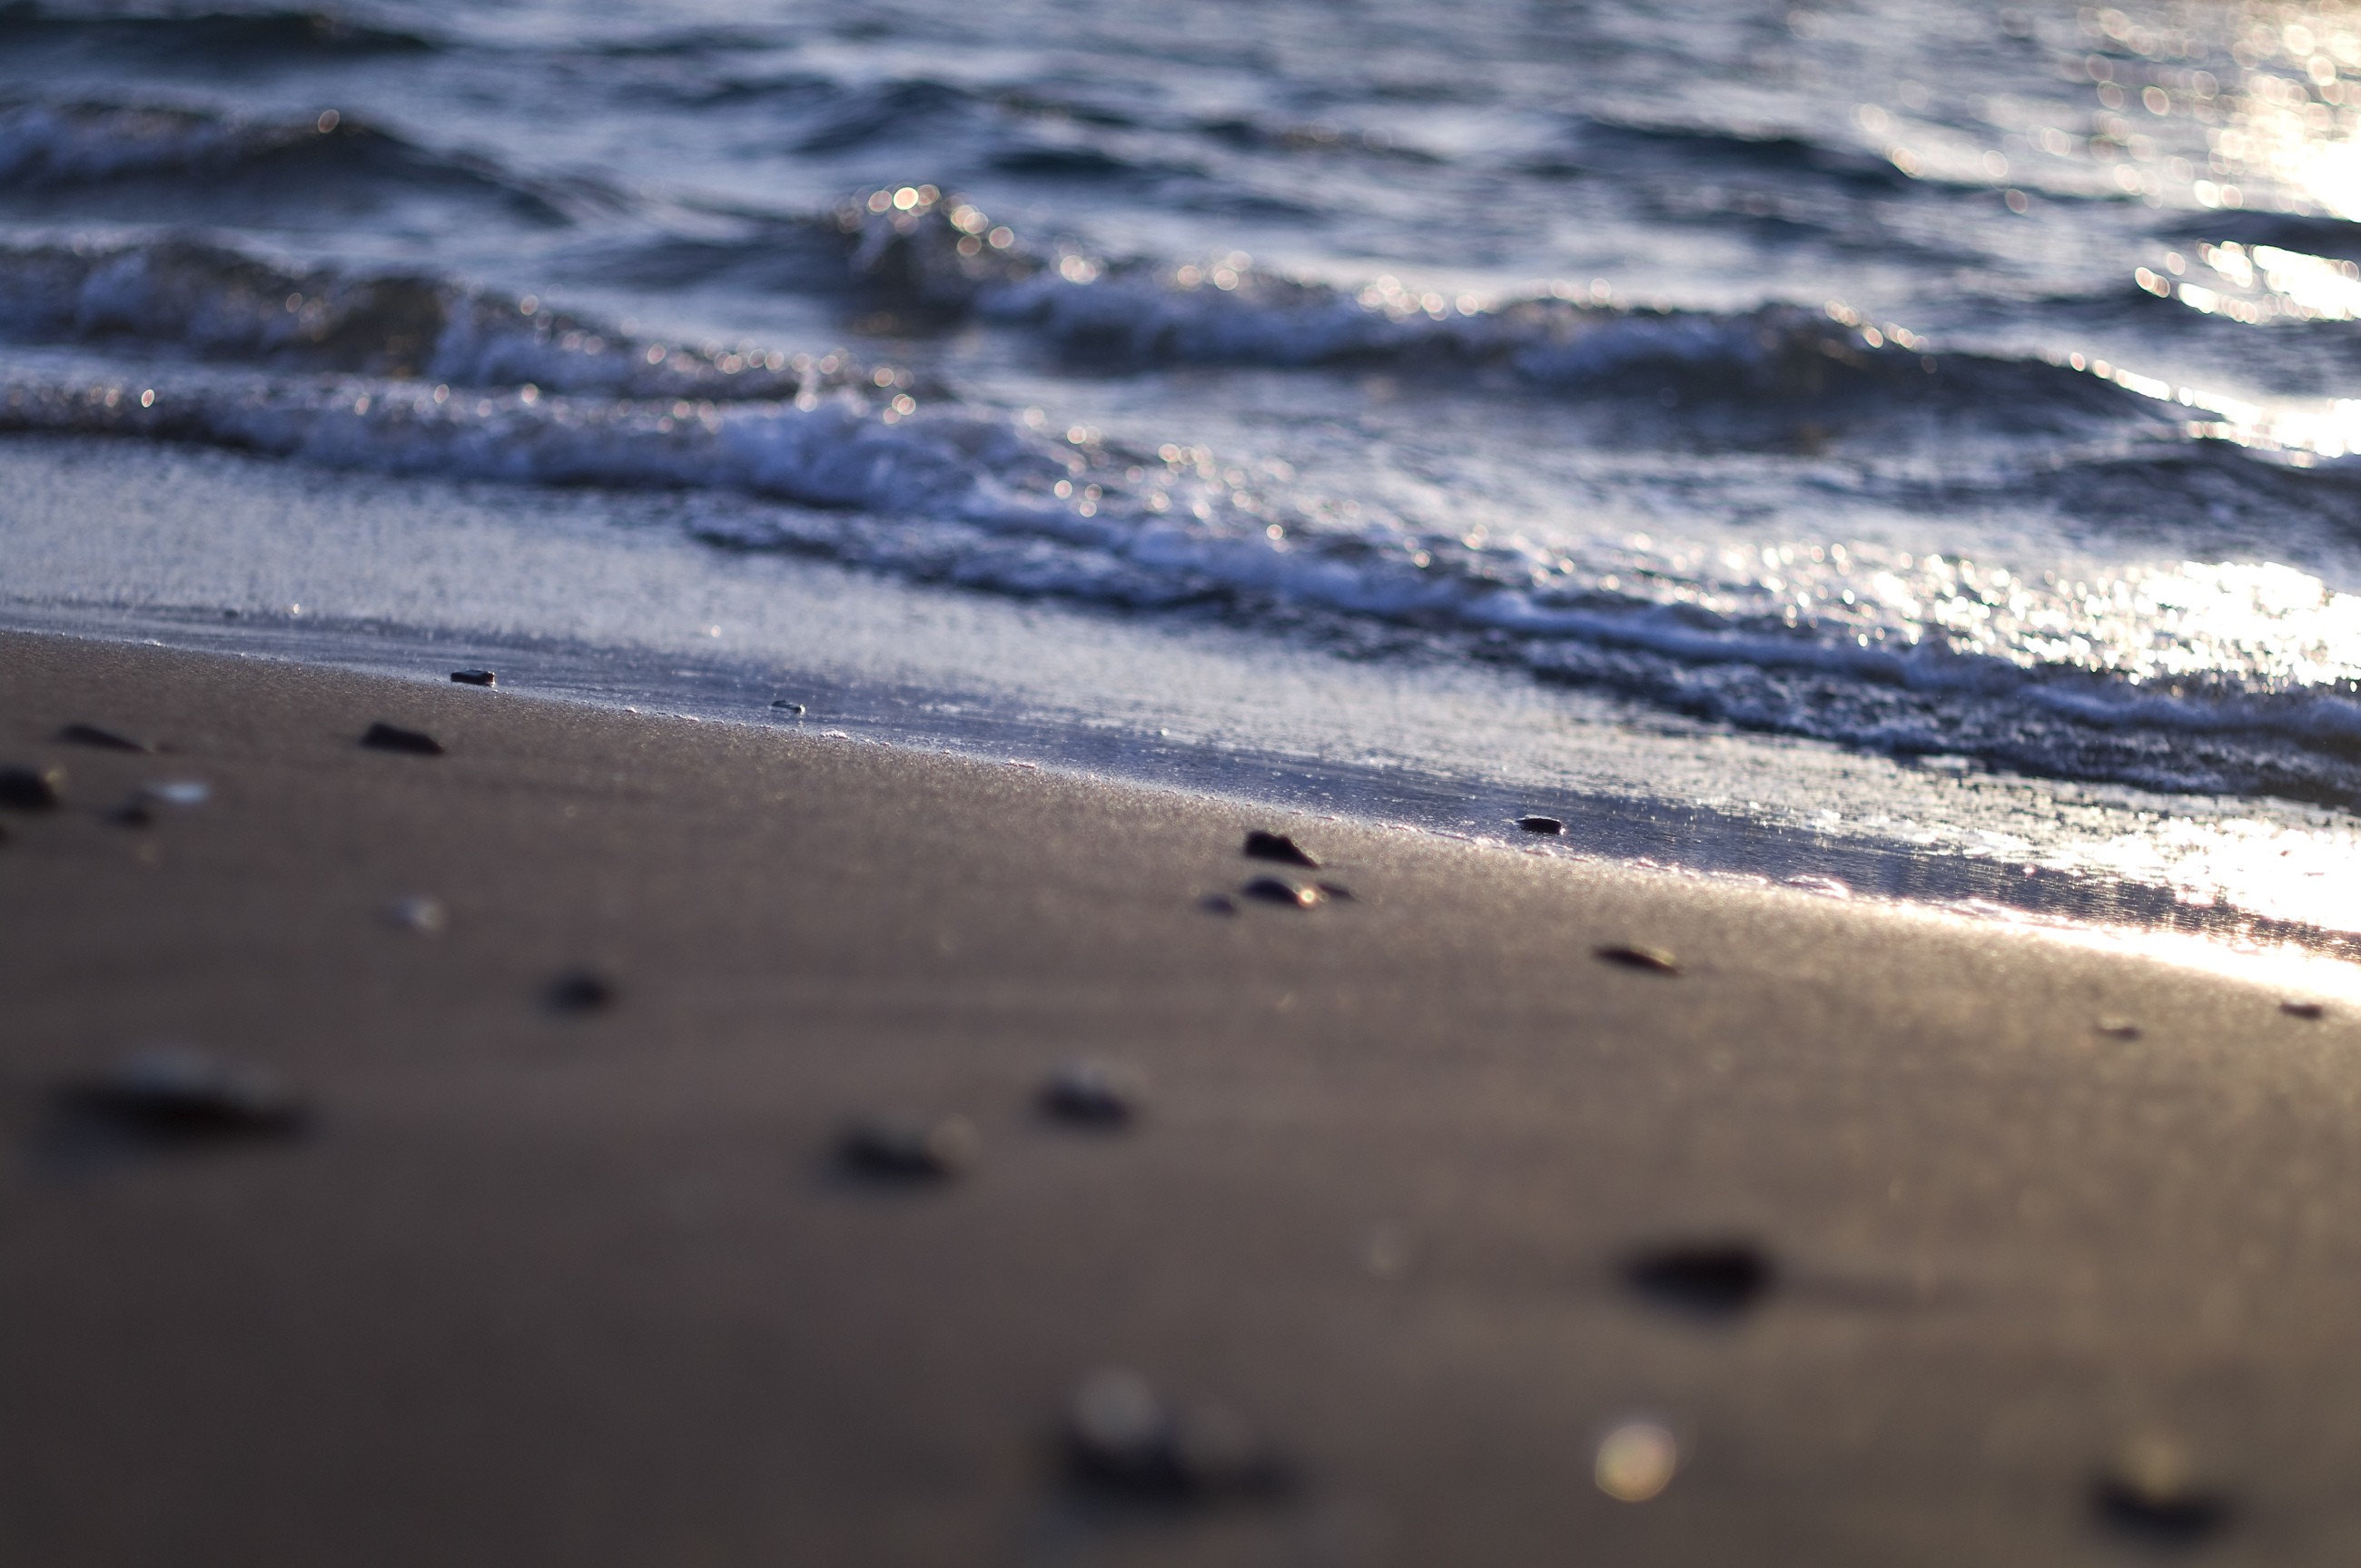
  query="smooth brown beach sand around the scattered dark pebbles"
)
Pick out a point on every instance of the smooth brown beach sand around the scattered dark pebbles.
point(587, 1288)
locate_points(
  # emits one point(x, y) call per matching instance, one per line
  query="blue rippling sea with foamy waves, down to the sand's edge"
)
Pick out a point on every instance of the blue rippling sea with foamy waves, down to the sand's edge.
point(1909, 450)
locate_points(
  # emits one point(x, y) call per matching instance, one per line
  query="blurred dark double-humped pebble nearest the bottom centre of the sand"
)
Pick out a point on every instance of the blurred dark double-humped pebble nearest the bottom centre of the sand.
point(1130, 1442)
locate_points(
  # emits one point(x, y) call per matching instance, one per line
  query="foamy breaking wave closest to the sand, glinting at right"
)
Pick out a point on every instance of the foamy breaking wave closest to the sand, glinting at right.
point(1909, 655)
